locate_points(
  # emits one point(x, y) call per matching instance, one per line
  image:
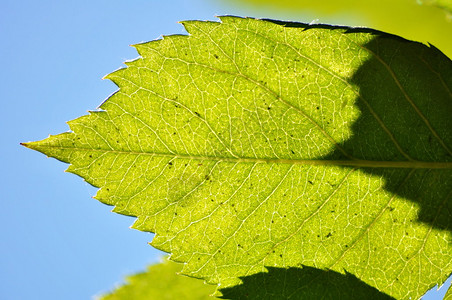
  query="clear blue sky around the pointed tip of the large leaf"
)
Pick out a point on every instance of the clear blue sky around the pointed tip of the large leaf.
point(57, 242)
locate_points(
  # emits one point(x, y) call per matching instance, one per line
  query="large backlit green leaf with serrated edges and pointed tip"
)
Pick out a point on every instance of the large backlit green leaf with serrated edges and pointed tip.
point(252, 144)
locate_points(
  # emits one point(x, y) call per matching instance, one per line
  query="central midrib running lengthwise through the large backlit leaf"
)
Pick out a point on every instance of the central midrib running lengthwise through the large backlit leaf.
point(313, 162)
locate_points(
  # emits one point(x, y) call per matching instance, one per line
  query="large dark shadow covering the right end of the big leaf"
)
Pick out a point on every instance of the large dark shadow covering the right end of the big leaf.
point(405, 100)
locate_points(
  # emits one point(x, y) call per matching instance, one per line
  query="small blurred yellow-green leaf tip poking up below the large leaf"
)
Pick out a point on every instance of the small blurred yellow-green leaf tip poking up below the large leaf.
point(161, 282)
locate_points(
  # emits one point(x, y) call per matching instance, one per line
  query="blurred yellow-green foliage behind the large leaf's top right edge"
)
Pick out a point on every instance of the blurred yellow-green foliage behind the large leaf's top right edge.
point(415, 20)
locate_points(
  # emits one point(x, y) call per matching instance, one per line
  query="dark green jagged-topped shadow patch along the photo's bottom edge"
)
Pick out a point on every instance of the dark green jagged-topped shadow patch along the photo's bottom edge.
point(302, 283)
